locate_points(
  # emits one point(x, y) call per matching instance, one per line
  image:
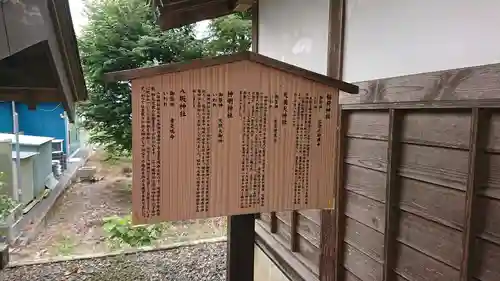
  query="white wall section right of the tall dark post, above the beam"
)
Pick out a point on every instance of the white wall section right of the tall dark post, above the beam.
point(387, 38)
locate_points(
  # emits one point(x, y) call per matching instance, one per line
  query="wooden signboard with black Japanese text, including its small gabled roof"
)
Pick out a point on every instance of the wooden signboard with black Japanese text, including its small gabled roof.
point(231, 135)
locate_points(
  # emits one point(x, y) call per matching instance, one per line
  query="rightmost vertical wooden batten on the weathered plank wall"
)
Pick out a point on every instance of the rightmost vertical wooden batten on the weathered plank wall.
point(478, 139)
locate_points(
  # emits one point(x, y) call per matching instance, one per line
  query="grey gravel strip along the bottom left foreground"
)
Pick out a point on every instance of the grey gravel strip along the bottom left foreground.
point(206, 262)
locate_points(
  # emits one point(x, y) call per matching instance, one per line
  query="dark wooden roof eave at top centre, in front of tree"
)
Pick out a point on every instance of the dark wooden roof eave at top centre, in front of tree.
point(176, 13)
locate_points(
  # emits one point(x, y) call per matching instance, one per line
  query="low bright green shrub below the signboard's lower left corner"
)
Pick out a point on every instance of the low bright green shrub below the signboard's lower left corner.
point(120, 230)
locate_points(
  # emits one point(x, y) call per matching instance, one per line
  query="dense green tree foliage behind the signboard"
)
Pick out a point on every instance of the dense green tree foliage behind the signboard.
point(123, 34)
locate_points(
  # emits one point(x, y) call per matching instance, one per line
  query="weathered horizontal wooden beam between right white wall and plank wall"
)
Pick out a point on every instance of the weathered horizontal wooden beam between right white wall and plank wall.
point(472, 83)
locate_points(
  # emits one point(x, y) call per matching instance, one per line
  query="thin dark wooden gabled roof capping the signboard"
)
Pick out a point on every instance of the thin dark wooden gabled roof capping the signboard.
point(226, 59)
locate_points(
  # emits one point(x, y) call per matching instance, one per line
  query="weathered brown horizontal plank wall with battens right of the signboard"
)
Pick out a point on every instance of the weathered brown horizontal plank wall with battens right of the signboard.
point(420, 192)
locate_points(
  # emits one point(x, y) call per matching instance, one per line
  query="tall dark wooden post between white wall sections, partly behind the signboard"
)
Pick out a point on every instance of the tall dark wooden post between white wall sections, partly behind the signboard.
point(332, 237)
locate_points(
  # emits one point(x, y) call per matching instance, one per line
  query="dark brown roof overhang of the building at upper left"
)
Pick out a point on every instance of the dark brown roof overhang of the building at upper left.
point(39, 60)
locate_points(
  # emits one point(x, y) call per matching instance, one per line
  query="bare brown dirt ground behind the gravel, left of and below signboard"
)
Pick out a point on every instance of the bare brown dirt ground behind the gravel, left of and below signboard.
point(75, 226)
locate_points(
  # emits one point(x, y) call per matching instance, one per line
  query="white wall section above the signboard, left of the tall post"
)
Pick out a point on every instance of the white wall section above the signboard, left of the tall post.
point(295, 31)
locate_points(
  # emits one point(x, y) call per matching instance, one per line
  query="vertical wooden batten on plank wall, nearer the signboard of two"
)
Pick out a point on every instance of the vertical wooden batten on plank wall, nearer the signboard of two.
point(392, 194)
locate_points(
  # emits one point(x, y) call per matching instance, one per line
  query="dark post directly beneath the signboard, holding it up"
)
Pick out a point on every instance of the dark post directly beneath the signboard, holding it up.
point(240, 247)
